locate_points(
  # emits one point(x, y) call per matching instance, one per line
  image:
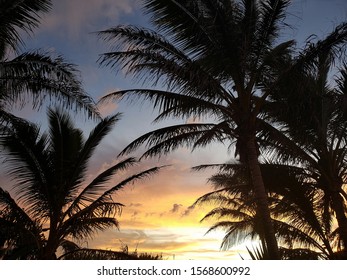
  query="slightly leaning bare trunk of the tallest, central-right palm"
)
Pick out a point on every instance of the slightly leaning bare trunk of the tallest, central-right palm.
point(261, 199)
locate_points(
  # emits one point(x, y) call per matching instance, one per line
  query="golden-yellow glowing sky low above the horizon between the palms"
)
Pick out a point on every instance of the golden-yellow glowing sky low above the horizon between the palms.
point(158, 217)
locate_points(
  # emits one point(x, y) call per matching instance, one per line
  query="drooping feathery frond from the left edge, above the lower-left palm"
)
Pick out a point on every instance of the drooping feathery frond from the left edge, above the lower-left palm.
point(39, 74)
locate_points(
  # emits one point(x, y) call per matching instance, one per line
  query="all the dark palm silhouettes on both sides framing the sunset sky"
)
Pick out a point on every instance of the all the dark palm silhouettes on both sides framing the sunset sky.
point(224, 65)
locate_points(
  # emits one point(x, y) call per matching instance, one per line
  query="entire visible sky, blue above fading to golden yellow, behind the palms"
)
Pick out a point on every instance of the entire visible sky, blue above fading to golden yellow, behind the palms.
point(157, 216)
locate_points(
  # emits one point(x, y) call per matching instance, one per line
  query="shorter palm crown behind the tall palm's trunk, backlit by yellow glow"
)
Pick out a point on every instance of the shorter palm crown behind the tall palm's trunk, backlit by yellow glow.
point(300, 227)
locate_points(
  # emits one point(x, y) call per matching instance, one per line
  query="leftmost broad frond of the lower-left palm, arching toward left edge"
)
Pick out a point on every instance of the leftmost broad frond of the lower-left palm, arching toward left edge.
point(26, 155)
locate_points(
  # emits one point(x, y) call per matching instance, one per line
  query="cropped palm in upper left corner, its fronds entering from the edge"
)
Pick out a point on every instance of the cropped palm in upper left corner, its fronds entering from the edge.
point(35, 74)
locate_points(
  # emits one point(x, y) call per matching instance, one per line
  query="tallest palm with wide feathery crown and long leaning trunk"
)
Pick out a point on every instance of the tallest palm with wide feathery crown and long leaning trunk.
point(218, 61)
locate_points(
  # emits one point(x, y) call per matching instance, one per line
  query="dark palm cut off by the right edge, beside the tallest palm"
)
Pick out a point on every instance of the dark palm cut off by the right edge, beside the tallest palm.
point(316, 137)
